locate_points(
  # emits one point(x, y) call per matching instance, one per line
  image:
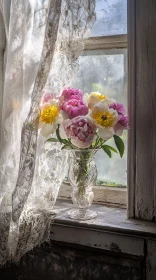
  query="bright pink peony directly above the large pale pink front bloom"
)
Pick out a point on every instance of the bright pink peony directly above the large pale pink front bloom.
point(74, 108)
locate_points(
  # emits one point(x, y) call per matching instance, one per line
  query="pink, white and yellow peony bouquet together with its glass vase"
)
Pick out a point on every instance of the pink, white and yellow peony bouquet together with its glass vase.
point(83, 125)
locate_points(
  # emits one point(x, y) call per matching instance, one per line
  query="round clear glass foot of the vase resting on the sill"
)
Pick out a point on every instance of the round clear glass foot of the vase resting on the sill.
point(82, 214)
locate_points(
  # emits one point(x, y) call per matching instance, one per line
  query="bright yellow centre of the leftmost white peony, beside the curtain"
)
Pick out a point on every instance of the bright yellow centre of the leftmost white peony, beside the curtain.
point(49, 114)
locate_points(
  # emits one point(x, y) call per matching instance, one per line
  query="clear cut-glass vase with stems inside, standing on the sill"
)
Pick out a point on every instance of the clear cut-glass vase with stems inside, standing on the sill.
point(82, 176)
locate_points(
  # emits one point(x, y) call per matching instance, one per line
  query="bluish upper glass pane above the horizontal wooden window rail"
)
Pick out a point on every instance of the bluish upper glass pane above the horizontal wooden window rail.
point(111, 18)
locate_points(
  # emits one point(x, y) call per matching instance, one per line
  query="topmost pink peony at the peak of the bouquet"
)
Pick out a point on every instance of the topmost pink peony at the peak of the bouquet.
point(71, 93)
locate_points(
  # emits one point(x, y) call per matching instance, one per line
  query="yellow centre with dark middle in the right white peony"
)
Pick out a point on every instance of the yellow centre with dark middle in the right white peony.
point(104, 119)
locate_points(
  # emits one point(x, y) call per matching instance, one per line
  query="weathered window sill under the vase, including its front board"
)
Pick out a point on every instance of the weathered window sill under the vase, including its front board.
point(110, 231)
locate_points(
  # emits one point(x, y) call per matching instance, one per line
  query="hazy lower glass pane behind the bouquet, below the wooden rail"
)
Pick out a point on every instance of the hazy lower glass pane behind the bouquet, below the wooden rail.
point(106, 72)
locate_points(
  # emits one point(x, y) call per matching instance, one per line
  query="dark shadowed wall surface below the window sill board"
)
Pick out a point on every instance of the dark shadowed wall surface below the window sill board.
point(64, 261)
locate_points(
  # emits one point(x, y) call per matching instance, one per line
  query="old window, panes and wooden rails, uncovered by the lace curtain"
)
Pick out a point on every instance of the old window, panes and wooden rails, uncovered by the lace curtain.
point(103, 68)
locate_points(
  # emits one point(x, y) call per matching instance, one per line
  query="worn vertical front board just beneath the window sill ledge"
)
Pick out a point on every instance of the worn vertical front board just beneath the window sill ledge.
point(96, 239)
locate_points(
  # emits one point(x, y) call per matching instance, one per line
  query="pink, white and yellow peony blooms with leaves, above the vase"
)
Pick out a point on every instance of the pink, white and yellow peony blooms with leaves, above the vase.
point(80, 121)
